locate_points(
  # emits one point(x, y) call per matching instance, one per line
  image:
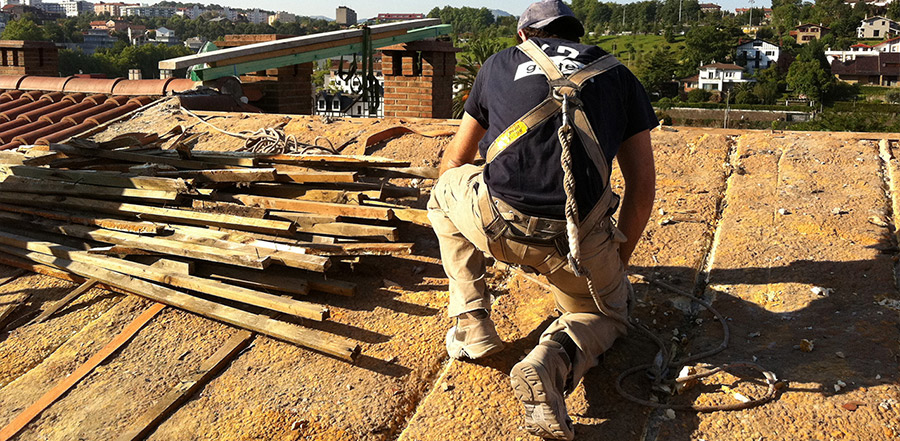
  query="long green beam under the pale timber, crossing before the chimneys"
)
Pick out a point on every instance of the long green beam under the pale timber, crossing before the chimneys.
point(210, 73)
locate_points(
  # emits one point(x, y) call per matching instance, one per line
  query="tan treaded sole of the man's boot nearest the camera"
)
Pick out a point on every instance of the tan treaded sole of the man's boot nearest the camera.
point(545, 409)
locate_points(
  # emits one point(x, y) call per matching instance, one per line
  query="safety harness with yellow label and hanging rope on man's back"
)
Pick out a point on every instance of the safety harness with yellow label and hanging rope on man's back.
point(564, 98)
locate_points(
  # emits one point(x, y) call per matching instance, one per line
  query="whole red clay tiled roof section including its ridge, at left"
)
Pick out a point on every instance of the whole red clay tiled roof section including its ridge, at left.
point(44, 110)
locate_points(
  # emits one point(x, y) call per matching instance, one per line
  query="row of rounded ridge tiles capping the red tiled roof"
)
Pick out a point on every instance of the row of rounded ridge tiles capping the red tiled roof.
point(110, 86)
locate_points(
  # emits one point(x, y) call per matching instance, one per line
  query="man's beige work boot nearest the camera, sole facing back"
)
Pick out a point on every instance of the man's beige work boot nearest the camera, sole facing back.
point(539, 382)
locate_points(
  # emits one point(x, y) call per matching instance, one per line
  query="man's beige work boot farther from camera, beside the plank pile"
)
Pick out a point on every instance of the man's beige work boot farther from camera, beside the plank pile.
point(474, 336)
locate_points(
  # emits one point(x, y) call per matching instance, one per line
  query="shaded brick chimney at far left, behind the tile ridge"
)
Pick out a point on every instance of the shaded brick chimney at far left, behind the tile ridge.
point(19, 57)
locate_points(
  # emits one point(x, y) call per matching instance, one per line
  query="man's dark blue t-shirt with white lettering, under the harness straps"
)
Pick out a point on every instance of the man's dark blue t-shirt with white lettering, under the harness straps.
point(528, 174)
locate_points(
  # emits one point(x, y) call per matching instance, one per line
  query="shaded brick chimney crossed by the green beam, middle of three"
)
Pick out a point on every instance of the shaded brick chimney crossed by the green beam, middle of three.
point(285, 89)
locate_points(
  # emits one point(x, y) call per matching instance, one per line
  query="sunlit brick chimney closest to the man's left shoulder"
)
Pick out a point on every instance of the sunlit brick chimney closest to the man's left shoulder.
point(418, 79)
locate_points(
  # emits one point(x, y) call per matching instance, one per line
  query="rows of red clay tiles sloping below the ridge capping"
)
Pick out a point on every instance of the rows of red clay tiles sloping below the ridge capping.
point(35, 117)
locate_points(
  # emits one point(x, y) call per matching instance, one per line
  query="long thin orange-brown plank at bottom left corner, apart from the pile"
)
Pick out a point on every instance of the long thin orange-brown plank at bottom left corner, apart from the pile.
point(22, 419)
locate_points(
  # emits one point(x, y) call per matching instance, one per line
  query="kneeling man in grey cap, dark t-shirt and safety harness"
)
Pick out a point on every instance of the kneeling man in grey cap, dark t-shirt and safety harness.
point(548, 116)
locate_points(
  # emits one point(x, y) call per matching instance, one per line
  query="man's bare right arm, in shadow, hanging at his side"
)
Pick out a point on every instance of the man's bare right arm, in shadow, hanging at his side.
point(635, 159)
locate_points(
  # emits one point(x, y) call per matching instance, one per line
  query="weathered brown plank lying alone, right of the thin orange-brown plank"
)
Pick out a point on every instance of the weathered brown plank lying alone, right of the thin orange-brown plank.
point(186, 387)
